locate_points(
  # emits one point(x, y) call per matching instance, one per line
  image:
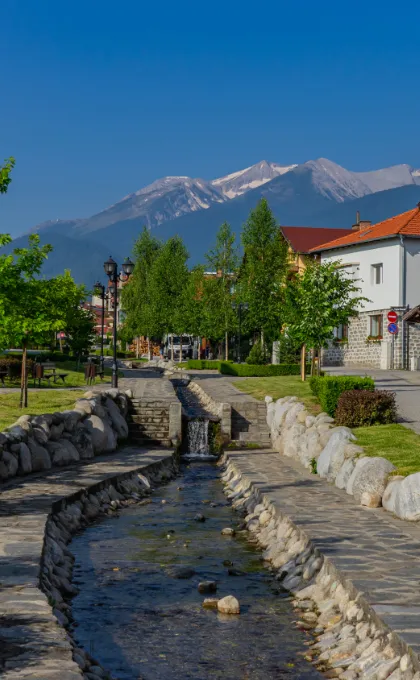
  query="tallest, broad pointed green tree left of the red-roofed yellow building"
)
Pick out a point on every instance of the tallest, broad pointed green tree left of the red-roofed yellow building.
point(263, 273)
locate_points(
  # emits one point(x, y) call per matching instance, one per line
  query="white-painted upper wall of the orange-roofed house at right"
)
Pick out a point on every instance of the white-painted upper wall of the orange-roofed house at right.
point(362, 257)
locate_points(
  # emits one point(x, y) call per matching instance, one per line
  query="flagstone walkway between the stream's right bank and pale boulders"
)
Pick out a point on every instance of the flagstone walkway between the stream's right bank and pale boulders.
point(379, 554)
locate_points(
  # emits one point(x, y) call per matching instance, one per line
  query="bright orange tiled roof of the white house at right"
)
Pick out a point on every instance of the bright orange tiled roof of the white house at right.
point(407, 223)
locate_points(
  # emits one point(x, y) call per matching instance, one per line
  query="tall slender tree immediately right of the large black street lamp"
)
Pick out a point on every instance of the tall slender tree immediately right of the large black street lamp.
point(136, 294)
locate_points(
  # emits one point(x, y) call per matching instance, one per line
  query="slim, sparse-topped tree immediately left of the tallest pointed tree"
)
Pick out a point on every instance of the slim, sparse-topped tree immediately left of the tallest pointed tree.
point(220, 291)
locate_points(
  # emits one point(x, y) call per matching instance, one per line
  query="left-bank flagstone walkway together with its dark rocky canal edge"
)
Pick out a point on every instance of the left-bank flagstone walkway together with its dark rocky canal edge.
point(38, 518)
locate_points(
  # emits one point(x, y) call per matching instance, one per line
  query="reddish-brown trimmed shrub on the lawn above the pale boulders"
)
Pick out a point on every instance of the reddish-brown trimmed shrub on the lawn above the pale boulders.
point(360, 408)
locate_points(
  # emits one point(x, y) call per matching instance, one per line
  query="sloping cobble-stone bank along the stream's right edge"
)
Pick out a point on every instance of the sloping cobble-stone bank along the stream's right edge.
point(350, 641)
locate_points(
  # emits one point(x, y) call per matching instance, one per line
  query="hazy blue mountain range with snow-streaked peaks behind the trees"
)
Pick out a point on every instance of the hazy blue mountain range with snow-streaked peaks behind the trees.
point(317, 193)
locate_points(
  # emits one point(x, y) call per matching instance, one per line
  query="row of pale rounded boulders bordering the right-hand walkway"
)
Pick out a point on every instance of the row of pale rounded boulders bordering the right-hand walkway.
point(315, 441)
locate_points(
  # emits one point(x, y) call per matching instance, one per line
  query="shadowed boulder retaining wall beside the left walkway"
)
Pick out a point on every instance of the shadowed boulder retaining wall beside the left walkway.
point(96, 425)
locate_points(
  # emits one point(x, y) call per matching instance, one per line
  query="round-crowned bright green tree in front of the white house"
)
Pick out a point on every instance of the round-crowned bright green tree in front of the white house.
point(318, 300)
